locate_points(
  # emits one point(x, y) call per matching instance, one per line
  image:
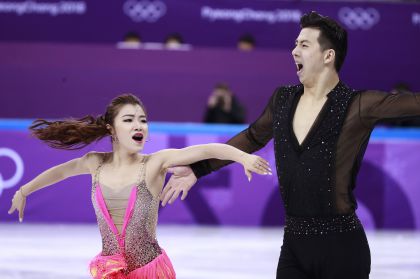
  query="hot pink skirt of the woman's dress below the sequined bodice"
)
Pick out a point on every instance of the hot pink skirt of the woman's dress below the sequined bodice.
point(114, 267)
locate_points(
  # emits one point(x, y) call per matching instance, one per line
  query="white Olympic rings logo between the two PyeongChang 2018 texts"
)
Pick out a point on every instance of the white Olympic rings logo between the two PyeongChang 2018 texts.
point(144, 10)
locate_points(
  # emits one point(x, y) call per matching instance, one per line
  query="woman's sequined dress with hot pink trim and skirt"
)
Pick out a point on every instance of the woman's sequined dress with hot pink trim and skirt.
point(134, 252)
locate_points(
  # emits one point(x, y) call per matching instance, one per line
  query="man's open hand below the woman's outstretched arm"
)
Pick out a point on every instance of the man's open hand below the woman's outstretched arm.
point(182, 179)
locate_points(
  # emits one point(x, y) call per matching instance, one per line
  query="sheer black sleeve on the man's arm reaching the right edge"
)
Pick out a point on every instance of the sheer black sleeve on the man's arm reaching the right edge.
point(375, 106)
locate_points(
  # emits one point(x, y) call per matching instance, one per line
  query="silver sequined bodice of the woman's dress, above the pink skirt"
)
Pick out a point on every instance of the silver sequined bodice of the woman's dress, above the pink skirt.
point(139, 244)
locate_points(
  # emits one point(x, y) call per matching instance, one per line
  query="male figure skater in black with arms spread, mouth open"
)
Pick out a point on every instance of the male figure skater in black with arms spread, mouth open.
point(321, 128)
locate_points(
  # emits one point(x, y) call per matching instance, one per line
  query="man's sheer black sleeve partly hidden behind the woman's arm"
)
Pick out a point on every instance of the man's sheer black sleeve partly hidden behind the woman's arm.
point(255, 137)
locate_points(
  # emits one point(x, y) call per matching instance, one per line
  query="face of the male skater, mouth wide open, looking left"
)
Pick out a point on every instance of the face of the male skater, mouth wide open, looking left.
point(308, 56)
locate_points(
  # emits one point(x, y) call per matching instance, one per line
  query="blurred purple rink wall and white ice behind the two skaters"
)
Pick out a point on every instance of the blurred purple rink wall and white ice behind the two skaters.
point(203, 69)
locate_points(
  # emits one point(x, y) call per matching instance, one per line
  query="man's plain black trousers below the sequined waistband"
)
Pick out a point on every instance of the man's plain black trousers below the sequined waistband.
point(343, 255)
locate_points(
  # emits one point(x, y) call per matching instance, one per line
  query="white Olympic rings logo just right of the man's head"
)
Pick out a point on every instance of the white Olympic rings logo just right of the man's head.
point(359, 18)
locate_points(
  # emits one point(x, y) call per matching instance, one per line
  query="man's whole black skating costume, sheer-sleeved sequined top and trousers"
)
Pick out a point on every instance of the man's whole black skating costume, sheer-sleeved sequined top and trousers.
point(323, 236)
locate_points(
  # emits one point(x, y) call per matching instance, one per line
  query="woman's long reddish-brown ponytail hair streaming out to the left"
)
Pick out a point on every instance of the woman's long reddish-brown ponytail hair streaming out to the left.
point(74, 134)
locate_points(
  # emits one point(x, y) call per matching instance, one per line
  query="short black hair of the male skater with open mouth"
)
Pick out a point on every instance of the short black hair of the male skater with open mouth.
point(332, 35)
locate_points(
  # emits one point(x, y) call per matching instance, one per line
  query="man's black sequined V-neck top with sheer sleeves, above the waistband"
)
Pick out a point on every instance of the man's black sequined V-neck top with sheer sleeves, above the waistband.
point(317, 177)
